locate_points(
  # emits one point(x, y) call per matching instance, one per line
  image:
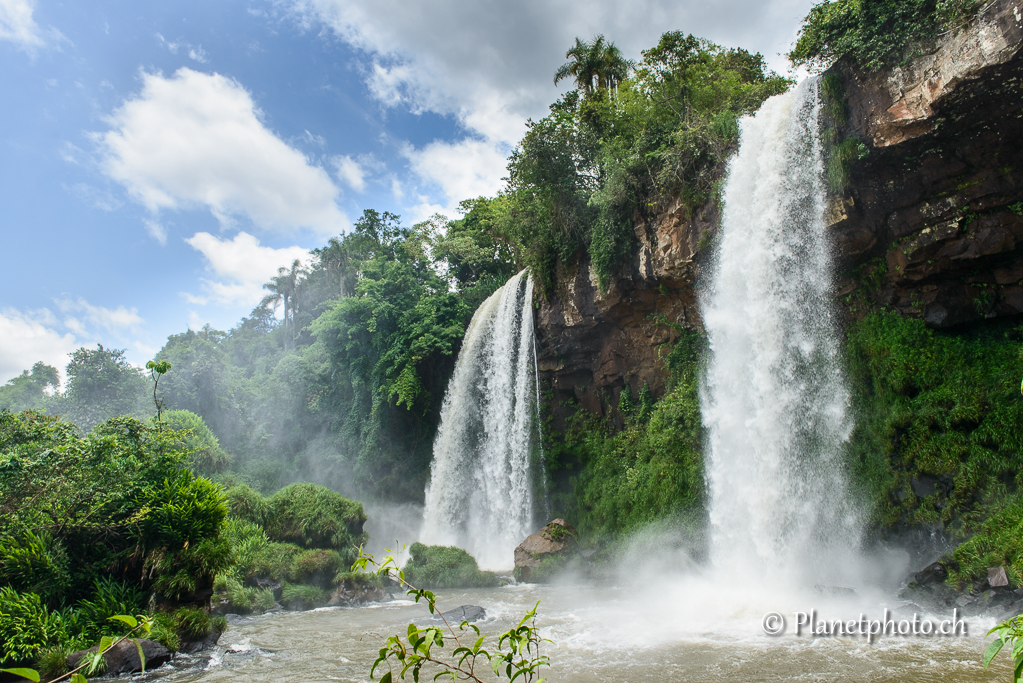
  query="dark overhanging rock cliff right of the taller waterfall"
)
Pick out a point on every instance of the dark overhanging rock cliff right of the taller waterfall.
point(930, 220)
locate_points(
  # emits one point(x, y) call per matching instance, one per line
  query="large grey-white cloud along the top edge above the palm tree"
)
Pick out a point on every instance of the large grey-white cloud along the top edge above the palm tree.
point(492, 63)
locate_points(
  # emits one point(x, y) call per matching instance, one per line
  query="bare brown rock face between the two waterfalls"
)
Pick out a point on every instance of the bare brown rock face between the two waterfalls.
point(591, 345)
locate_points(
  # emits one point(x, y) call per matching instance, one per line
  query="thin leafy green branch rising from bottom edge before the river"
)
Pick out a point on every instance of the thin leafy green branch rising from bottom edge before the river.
point(518, 656)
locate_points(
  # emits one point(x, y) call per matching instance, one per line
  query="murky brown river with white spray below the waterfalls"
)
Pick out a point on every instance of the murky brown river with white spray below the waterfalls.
point(621, 634)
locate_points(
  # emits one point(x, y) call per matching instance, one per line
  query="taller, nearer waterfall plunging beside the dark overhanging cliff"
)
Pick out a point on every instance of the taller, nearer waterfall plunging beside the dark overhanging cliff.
point(775, 401)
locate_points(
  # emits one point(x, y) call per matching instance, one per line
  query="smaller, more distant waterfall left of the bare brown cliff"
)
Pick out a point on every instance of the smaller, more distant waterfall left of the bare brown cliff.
point(480, 496)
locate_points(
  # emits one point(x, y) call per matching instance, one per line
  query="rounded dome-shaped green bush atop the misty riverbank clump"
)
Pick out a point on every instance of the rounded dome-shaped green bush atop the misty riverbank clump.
point(314, 517)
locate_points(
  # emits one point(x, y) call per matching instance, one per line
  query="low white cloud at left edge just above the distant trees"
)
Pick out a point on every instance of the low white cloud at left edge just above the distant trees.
point(29, 338)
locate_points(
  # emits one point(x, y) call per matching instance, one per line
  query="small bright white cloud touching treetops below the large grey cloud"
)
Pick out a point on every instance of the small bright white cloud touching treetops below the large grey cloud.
point(462, 170)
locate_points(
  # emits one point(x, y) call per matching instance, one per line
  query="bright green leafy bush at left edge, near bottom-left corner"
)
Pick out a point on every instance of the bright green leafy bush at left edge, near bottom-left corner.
point(27, 626)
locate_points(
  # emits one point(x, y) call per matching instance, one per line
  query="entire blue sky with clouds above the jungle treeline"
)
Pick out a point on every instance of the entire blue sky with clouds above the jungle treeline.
point(160, 161)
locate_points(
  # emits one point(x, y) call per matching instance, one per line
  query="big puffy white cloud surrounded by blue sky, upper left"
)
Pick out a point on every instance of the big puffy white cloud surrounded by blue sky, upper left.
point(197, 140)
